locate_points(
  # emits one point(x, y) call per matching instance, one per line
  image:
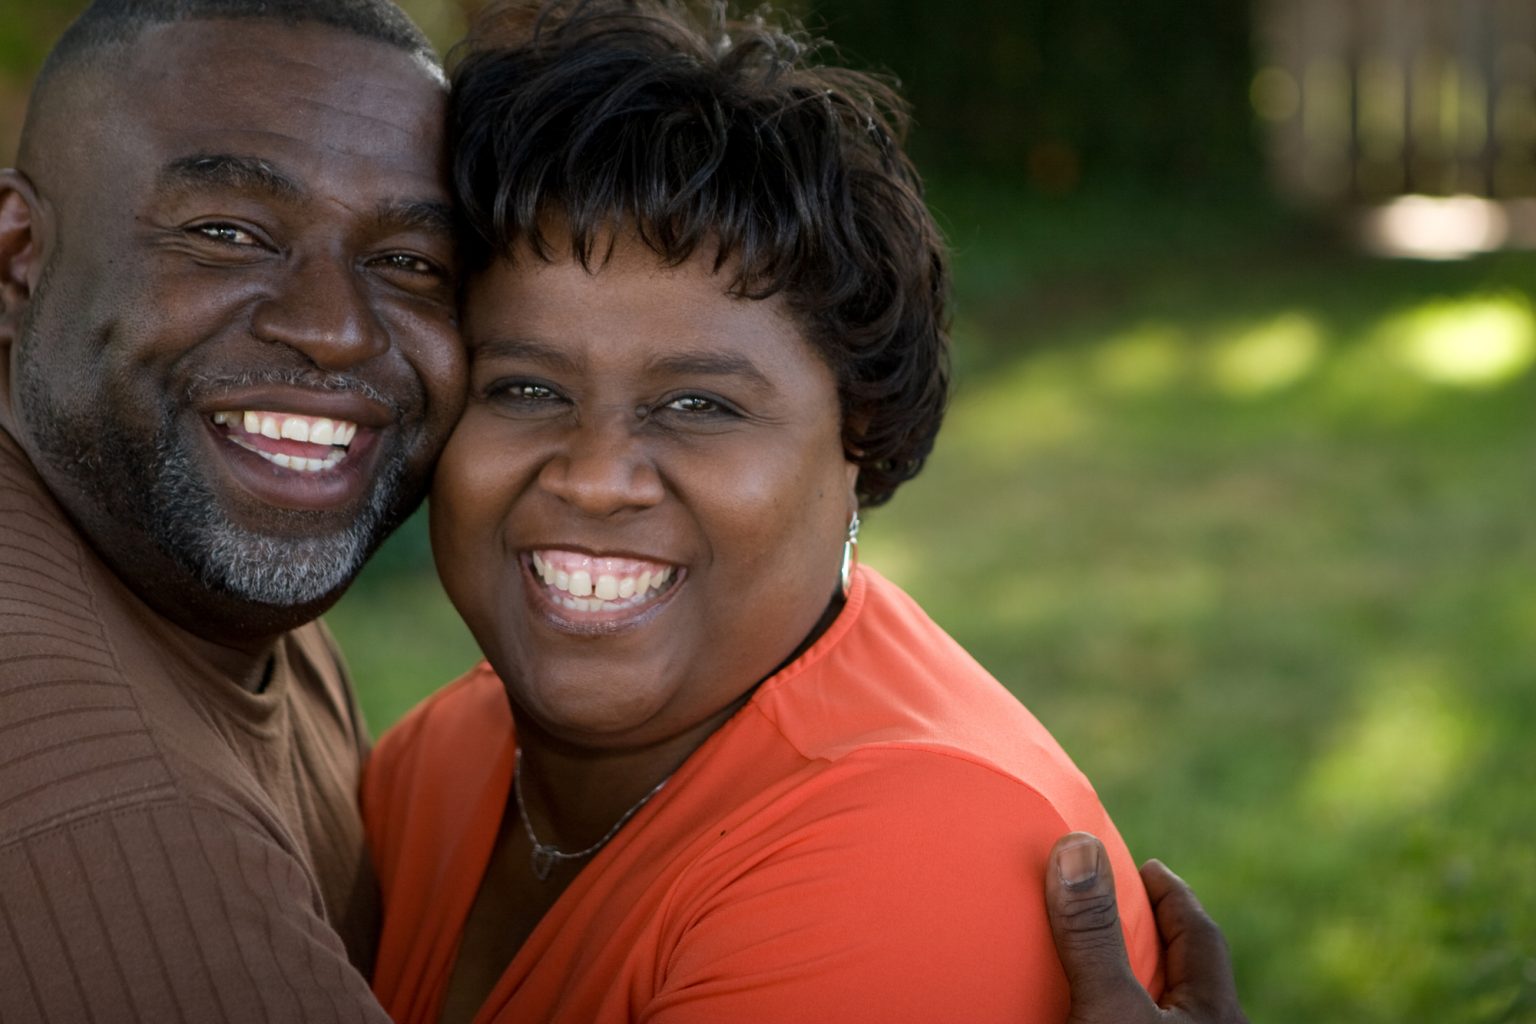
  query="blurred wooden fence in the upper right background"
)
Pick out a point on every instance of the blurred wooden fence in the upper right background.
point(1377, 99)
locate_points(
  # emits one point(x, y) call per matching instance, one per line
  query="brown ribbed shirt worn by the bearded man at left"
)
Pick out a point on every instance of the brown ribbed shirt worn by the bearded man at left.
point(173, 848)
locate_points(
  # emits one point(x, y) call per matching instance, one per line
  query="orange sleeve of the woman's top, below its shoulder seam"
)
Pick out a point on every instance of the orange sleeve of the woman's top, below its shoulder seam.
point(909, 888)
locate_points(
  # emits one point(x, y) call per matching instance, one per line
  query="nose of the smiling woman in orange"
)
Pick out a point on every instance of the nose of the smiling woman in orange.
point(604, 467)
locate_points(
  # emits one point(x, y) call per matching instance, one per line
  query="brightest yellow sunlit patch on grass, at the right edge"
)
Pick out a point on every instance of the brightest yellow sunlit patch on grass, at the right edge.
point(1471, 343)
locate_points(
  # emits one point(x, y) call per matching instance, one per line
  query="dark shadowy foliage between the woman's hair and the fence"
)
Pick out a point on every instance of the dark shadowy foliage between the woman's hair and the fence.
point(1065, 94)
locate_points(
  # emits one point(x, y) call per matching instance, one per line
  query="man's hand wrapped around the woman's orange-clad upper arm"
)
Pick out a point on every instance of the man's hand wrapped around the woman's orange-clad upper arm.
point(1085, 920)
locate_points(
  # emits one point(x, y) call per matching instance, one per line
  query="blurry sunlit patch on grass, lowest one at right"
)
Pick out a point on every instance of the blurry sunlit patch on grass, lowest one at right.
point(1405, 750)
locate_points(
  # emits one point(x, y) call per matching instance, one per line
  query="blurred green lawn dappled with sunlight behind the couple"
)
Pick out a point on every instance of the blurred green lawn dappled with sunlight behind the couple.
point(1248, 523)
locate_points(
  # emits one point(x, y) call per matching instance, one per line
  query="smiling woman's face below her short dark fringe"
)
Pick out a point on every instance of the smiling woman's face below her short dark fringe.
point(643, 512)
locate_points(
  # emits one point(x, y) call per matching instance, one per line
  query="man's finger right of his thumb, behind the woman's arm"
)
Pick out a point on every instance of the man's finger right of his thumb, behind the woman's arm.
point(1200, 977)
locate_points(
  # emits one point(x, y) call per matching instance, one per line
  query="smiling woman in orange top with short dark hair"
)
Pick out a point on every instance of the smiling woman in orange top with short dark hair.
point(713, 771)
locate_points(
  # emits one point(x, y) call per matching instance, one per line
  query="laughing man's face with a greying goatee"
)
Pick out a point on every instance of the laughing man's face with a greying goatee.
point(243, 357)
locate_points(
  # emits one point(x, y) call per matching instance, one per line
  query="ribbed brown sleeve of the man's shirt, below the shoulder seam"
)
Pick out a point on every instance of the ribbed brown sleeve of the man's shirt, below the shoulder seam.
point(168, 913)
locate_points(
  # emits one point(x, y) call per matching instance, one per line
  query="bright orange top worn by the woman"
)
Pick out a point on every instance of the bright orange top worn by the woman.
point(866, 841)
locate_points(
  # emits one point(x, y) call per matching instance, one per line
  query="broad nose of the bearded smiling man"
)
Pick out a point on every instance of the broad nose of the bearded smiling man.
point(323, 309)
